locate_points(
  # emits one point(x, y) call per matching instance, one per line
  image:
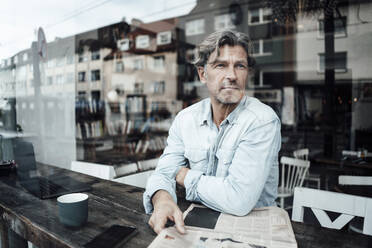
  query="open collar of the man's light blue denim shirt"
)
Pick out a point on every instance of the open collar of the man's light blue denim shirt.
point(206, 113)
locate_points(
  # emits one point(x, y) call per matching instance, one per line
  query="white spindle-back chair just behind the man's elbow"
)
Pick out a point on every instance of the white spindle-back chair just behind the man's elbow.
point(293, 172)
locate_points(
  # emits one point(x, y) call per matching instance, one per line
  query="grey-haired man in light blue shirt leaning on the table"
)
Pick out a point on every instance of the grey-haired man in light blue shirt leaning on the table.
point(224, 149)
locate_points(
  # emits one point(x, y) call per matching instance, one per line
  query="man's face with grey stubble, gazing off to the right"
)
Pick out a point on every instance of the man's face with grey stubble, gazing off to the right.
point(226, 74)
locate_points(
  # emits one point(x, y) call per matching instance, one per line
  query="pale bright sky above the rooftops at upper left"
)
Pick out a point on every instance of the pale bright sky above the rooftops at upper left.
point(20, 19)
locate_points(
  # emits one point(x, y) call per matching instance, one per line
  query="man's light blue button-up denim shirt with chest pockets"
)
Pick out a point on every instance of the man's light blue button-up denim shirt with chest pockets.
point(234, 168)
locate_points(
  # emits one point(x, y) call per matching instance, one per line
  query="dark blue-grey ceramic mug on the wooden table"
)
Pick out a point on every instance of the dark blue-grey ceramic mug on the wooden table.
point(73, 209)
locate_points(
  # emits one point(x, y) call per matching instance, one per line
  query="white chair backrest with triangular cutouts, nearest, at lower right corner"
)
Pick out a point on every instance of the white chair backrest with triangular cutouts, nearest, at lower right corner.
point(320, 201)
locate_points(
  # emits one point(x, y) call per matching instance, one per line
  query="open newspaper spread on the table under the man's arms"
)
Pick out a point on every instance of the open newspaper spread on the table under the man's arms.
point(267, 227)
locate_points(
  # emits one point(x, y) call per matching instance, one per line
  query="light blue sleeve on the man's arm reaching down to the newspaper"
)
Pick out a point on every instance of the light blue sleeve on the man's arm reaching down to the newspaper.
point(169, 164)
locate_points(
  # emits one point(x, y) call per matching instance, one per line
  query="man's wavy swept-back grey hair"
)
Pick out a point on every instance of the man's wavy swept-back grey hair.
point(219, 39)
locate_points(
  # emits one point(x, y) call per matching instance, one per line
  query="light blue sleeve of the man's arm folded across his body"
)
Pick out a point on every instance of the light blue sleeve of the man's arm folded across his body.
point(239, 191)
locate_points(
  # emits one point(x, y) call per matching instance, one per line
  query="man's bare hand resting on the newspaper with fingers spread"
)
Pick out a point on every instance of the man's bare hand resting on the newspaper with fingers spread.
point(165, 208)
